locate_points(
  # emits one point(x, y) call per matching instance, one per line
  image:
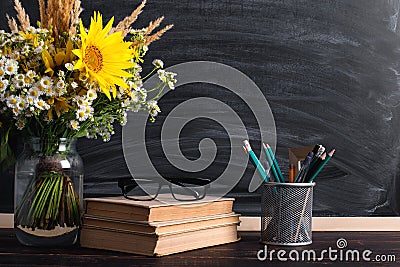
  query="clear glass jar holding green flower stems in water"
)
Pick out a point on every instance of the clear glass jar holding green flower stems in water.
point(48, 192)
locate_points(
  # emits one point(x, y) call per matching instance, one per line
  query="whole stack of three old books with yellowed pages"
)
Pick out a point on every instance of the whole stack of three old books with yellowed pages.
point(156, 228)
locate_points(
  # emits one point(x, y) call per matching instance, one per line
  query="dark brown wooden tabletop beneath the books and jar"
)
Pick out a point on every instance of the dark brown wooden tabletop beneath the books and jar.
point(242, 253)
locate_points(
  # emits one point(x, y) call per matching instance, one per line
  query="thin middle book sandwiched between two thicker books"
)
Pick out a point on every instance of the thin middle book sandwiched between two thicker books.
point(164, 227)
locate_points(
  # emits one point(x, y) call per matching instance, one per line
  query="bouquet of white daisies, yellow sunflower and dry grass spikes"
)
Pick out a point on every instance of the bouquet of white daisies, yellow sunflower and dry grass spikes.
point(61, 80)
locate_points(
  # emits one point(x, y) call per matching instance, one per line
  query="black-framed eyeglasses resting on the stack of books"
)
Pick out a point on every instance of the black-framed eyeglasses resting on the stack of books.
point(182, 189)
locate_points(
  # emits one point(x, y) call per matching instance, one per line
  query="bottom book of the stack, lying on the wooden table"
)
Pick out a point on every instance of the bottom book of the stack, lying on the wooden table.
point(154, 244)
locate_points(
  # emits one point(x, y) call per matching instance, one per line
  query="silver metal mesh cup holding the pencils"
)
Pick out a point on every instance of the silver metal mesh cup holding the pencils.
point(286, 213)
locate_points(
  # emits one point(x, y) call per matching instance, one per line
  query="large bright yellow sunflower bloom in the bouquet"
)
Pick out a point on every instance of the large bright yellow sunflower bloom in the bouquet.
point(102, 57)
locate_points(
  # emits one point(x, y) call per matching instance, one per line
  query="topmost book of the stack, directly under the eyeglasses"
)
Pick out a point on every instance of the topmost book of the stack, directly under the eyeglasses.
point(156, 211)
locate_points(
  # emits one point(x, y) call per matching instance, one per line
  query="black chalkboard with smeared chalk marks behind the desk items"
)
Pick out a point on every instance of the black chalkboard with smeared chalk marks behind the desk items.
point(330, 71)
